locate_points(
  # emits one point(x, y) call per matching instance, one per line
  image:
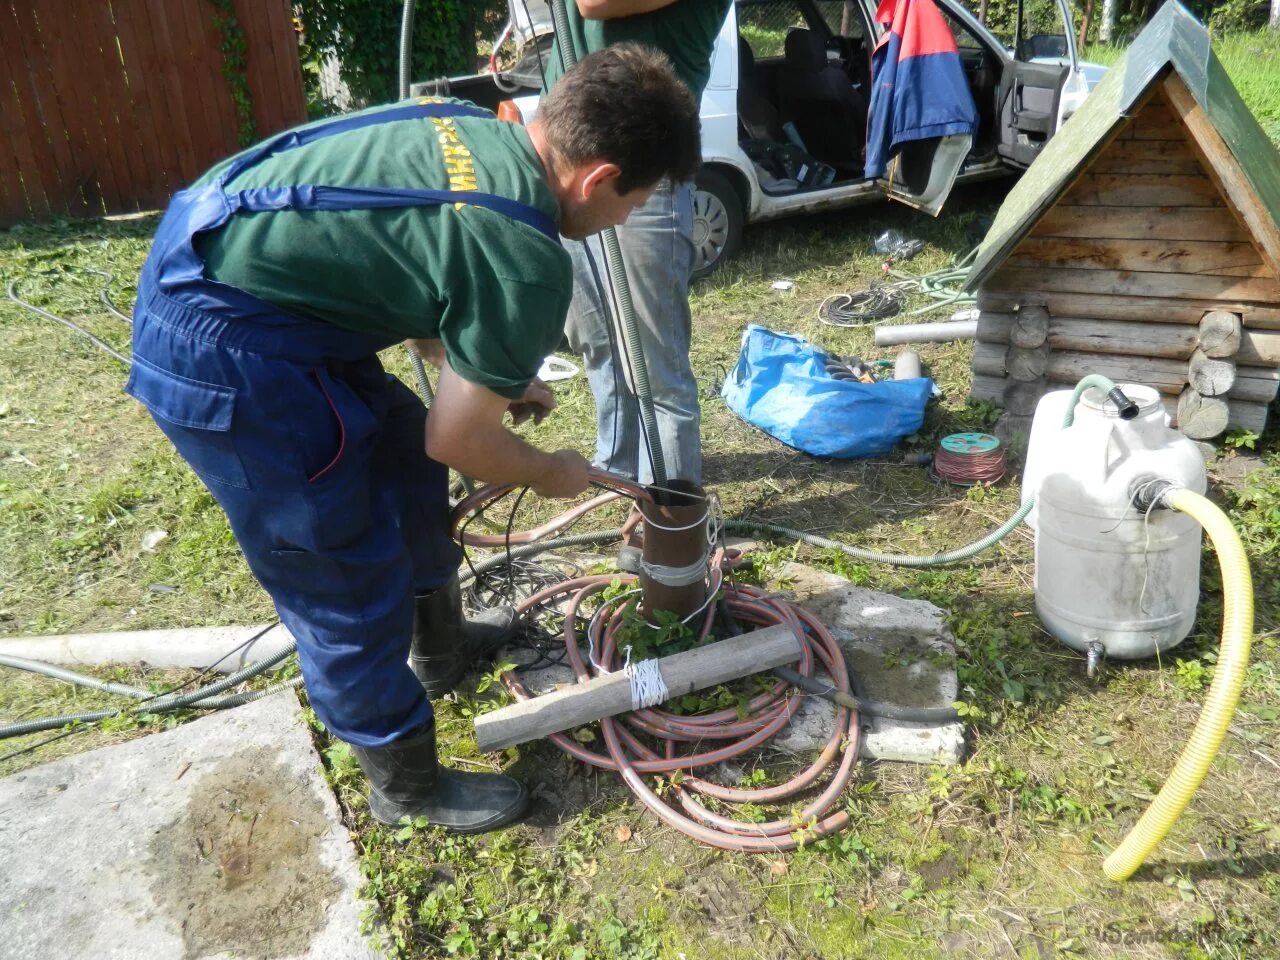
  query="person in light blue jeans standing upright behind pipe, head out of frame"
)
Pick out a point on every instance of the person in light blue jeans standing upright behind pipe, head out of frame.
point(659, 252)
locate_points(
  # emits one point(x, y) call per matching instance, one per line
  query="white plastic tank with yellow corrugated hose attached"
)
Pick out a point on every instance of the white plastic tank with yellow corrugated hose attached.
point(1112, 580)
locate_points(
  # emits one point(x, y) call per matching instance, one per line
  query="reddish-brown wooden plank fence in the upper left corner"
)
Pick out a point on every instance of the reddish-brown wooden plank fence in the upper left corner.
point(109, 107)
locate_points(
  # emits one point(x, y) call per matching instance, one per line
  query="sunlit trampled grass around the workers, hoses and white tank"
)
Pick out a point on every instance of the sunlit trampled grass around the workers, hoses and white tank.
point(996, 857)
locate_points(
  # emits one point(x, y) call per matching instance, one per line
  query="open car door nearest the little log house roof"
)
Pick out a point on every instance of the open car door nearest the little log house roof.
point(1032, 86)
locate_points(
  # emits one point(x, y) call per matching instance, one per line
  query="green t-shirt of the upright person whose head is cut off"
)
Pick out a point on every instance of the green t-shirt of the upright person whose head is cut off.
point(685, 31)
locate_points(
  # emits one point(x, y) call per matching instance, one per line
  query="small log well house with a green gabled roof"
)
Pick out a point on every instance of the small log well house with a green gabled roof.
point(1144, 245)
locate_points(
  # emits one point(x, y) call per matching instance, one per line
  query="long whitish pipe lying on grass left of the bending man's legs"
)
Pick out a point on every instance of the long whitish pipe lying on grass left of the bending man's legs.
point(194, 648)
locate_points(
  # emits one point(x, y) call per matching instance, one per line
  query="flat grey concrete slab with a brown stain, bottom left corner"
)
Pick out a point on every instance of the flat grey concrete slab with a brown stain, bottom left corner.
point(216, 840)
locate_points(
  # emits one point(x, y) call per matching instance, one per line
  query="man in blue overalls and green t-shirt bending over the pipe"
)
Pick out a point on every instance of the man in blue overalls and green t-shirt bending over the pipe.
point(271, 287)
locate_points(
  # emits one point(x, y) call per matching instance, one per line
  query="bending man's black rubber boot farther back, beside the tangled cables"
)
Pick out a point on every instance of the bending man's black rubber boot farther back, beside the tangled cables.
point(446, 643)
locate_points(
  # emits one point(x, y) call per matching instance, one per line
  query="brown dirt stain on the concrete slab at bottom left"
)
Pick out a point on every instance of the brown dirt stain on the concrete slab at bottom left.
point(240, 871)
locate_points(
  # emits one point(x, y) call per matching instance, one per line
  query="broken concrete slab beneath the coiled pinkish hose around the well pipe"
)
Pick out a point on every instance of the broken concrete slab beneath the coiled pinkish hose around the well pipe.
point(902, 650)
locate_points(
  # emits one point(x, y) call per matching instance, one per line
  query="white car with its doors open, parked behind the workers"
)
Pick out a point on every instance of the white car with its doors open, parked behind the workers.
point(790, 84)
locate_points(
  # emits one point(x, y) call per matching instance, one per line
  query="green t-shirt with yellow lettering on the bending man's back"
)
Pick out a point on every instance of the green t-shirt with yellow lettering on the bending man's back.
point(493, 290)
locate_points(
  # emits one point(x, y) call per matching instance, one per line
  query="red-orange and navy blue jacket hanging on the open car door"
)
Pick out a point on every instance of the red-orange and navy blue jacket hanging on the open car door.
point(918, 85)
